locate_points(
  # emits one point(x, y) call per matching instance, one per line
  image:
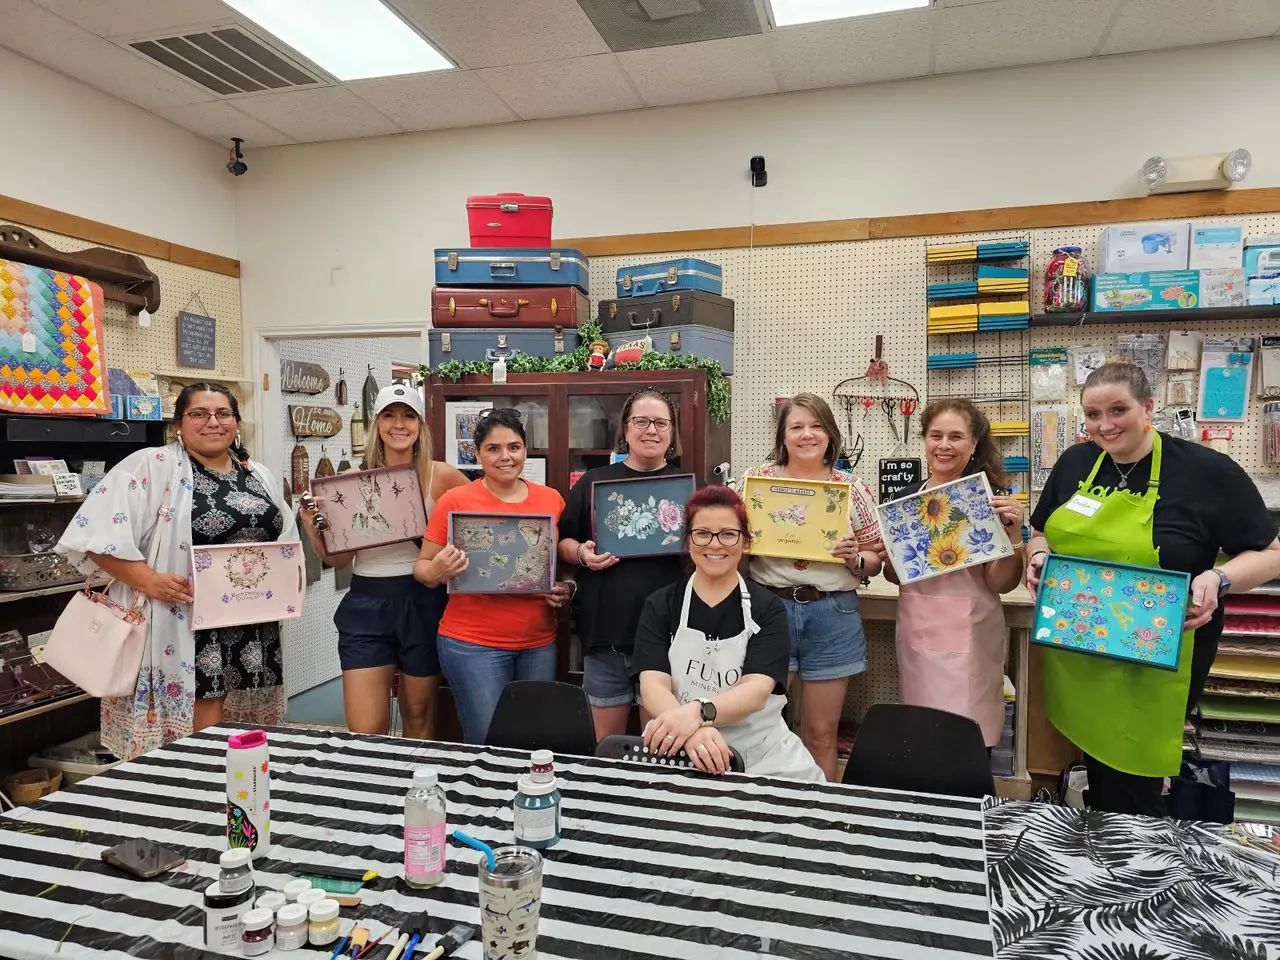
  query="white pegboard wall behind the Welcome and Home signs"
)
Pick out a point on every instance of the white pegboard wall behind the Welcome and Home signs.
point(312, 642)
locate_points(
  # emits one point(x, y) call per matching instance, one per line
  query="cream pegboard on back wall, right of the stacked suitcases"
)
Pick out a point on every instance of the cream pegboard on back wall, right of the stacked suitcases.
point(807, 319)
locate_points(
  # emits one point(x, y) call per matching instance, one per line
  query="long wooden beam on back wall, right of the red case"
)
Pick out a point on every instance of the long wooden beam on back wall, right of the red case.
point(1012, 218)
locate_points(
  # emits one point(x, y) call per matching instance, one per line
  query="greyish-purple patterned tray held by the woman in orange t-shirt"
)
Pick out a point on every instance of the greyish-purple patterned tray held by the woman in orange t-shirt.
point(508, 554)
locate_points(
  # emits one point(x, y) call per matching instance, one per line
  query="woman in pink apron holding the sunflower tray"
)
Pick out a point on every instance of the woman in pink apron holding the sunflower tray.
point(952, 636)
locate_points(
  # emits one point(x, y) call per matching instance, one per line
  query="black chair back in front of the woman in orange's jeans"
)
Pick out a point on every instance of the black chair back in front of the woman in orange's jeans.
point(543, 715)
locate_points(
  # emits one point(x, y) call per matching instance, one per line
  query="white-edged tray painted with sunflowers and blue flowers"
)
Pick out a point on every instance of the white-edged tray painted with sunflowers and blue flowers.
point(944, 529)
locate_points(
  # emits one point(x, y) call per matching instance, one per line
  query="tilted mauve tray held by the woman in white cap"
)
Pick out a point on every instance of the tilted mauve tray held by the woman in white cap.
point(371, 508)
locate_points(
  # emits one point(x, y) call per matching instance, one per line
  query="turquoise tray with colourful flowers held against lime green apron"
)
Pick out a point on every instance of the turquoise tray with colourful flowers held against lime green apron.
point(1112, 610)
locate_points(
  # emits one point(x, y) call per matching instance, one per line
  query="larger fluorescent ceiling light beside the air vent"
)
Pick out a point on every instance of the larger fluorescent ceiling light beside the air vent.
point(350, 39)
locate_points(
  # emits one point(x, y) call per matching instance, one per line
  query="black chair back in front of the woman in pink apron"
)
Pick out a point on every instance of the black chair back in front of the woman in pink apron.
point(920, 749)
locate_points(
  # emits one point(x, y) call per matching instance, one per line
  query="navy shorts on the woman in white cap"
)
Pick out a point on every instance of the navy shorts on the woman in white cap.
point(390, 623)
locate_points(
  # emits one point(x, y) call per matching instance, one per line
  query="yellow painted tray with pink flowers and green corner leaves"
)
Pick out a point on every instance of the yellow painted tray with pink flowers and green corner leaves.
point(797, 519)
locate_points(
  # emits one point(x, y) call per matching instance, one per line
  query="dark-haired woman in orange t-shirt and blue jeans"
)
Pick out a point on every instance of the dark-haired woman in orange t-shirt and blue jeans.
point(487, 641)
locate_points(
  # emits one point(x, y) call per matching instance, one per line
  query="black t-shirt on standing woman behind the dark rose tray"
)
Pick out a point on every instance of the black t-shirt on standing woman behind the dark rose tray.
point(609, 602)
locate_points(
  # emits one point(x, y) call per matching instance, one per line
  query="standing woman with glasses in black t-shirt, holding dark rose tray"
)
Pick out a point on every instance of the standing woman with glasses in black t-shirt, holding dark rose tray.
point(612, 592)
